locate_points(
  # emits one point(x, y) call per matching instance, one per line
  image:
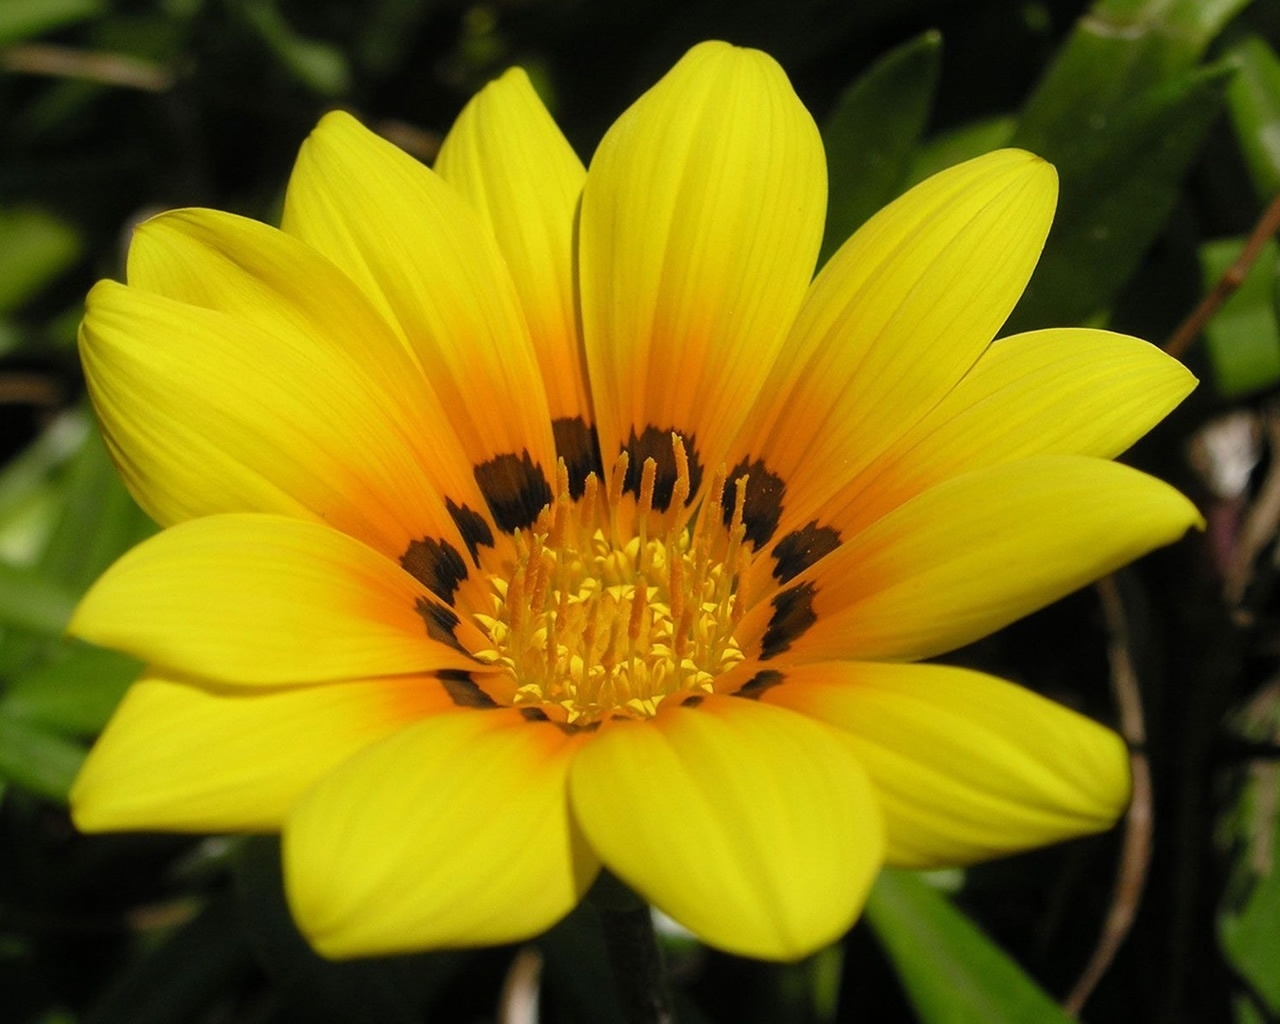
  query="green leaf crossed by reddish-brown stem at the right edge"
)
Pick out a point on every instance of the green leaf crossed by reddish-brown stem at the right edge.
point(1244, 337)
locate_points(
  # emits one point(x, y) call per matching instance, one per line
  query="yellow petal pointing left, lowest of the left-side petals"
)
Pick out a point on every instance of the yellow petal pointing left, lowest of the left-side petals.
point(195, 760)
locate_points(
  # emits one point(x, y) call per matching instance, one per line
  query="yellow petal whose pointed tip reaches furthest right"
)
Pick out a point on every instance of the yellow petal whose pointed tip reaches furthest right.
point(968, 557)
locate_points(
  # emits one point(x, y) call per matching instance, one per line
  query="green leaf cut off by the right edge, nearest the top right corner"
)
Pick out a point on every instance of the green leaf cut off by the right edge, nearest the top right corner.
point(1254, 103)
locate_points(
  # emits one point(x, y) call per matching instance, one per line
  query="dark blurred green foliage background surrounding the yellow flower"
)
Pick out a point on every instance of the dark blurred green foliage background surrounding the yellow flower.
point(1164, 121)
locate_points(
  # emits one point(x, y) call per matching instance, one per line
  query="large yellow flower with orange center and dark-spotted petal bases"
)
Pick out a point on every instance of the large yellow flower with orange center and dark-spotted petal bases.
point(405, 614)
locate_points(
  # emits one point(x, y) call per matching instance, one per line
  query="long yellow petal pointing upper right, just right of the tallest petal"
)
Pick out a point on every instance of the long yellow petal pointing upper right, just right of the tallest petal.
point(895, 319)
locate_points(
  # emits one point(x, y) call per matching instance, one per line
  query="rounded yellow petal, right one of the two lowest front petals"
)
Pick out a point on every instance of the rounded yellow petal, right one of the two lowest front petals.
point(751, 826)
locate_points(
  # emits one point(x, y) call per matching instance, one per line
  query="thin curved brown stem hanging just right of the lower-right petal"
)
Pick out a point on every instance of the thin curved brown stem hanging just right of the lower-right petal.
point(1136, 852)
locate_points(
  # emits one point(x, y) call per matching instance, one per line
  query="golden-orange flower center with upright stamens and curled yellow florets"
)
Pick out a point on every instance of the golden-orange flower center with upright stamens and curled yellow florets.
point(611, 607)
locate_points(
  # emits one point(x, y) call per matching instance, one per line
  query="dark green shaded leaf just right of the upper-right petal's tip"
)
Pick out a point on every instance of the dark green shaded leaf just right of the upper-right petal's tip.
point(1119, 182)
